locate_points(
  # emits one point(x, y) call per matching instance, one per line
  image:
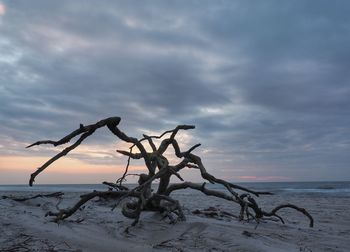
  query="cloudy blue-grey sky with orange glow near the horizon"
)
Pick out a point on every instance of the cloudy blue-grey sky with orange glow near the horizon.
point(266, 83)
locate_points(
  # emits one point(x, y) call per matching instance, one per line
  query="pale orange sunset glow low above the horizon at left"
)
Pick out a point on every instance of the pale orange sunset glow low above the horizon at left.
point(16, 170)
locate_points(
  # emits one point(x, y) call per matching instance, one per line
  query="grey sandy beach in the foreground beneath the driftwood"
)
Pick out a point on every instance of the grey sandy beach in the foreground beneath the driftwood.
point(24, 227)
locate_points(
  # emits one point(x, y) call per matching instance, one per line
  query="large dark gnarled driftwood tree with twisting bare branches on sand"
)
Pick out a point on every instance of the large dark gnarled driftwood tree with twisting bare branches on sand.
point(141, 198)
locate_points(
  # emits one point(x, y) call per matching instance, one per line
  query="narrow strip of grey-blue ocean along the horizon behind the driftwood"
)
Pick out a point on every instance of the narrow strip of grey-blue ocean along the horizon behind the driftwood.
point(326, 188)
